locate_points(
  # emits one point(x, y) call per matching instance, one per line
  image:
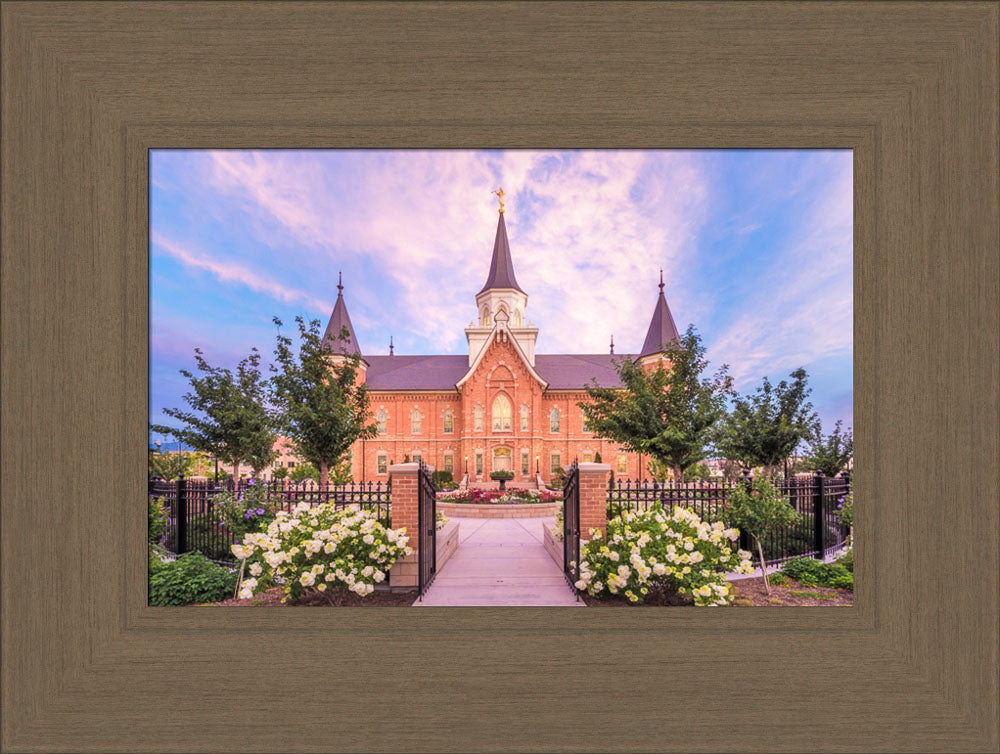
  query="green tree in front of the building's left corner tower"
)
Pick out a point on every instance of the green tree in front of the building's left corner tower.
point(324, 406)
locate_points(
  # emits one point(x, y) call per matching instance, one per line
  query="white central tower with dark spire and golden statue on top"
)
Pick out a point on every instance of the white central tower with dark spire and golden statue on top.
point(501, 298)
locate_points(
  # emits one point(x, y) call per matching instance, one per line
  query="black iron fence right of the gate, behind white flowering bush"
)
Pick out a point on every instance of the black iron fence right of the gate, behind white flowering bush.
point(816, 532)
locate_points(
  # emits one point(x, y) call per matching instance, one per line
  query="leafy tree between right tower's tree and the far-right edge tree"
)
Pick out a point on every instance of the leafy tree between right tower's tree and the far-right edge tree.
point(763, 429)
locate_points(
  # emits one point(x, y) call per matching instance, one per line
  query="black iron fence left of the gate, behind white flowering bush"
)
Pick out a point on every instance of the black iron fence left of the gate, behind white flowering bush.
point(195, 519)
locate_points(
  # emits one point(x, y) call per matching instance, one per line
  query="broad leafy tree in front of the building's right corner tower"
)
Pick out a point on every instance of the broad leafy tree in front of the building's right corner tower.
point(666, 413)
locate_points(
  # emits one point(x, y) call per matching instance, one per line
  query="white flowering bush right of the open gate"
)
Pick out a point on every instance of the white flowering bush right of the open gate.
point(678, 551)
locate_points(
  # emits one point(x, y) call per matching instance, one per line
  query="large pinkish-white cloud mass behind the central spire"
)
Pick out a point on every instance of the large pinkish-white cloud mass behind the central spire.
point(597, 224)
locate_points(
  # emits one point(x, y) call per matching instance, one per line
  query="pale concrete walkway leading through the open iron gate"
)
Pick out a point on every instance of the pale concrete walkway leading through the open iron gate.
point(500, 562)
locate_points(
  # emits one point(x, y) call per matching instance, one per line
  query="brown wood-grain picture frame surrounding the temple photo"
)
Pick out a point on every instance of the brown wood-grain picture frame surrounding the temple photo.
point(89, 87)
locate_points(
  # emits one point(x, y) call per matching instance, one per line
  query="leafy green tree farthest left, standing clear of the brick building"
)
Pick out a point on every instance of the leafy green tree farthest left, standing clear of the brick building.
point(230, 419)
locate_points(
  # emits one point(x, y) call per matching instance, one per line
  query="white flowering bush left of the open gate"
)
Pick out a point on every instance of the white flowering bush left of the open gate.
point(315, 548)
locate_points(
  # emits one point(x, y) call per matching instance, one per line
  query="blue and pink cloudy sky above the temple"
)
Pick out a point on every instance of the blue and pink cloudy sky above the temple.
point(756, 249)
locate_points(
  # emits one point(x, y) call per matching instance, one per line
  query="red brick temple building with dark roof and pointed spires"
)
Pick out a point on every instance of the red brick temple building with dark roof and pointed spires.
point(501, 406)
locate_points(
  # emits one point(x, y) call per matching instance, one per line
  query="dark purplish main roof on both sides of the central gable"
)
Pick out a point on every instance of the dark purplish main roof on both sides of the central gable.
point(561, 371)
